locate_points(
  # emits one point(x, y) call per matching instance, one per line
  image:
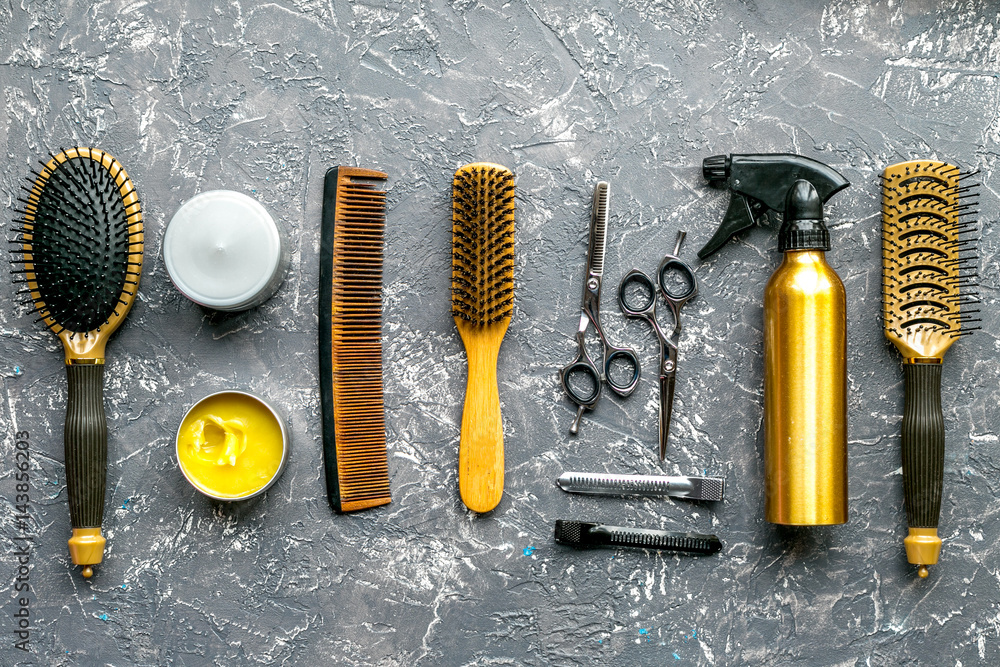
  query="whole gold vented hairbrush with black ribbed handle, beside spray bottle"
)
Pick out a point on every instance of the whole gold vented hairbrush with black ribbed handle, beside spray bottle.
point(929, 263)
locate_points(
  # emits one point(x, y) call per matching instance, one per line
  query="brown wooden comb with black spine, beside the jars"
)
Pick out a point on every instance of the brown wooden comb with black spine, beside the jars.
point(350, 339)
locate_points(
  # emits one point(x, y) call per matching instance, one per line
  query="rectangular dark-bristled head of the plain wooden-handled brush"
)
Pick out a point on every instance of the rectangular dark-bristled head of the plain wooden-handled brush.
point(483, 244)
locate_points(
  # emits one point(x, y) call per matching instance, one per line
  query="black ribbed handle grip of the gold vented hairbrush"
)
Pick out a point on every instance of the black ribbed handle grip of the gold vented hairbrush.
point(923, 445)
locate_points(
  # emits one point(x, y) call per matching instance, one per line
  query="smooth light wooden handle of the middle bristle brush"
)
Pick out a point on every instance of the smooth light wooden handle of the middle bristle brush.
point(480, 452)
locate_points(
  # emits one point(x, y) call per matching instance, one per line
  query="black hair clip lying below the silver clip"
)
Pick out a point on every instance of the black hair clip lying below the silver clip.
point(584, 535)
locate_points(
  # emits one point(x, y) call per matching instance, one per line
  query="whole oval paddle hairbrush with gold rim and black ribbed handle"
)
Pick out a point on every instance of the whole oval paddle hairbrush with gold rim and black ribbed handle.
point(79, 236)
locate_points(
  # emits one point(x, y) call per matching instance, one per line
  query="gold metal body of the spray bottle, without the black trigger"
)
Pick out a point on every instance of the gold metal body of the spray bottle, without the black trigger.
point(805, 392)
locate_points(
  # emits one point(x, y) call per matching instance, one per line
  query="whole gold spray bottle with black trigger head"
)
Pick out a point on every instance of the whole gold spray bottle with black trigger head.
point(805, 334)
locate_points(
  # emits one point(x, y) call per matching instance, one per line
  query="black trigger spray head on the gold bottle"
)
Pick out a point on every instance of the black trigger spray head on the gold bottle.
point(760, 183)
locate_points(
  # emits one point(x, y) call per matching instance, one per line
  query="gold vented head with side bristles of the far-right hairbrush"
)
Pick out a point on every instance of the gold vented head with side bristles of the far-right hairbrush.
point(928, 257)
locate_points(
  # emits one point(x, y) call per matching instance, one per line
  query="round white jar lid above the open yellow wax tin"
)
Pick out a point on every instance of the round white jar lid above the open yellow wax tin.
point(223, 250)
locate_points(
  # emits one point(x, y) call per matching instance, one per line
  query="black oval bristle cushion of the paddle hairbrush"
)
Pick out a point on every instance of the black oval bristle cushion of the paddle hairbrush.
point(79, 244)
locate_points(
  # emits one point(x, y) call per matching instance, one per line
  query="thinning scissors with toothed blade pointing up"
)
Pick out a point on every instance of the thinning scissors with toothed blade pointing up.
point(581, 378)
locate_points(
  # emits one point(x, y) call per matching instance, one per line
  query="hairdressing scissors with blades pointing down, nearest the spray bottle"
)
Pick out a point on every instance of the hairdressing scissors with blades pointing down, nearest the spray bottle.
point(676, 283)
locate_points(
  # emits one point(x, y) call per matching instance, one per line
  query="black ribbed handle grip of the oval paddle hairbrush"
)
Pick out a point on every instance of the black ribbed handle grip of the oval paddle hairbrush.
point(86, 443)
